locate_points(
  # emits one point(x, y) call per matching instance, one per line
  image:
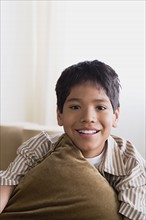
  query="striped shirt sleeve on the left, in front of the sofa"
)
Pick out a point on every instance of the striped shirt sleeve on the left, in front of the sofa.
point(29, 154)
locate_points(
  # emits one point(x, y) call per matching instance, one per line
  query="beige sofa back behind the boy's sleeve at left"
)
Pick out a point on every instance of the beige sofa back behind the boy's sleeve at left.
point(12, 136)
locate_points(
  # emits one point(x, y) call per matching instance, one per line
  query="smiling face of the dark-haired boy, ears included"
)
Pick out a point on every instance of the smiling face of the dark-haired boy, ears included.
point(88, 118)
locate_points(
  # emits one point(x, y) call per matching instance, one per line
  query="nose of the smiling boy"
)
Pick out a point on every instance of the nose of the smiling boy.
point(88, 116)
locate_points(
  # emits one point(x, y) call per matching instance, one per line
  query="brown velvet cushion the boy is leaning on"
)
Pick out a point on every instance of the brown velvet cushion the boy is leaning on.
point(63, 187)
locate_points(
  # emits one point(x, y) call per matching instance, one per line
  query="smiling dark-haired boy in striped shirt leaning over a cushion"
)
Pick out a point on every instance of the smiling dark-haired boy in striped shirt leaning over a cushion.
point(88, 109)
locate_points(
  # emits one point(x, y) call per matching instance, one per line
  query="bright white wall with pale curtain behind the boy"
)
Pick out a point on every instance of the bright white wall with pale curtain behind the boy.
point(41, 38)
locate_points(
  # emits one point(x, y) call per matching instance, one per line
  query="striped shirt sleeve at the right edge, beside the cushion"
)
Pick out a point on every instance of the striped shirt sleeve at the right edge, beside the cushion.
point(132, 191)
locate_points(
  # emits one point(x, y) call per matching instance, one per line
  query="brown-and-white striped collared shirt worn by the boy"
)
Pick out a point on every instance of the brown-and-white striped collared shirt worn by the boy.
point(121, 165)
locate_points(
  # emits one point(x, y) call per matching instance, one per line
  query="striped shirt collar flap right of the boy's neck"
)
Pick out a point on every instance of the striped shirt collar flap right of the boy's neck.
point(112, 160)
